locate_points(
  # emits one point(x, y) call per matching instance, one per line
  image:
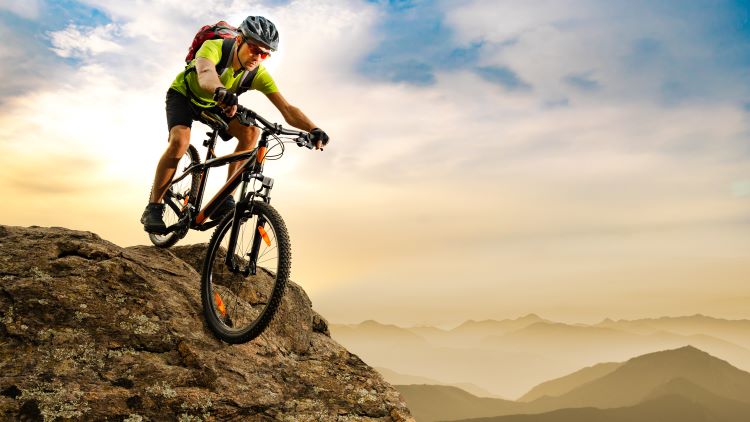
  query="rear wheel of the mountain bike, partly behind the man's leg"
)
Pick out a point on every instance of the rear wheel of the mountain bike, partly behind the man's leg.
point(176, 199)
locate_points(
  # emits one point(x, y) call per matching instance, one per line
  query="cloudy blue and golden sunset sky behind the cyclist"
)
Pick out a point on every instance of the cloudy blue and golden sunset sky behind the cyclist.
point(578, 159)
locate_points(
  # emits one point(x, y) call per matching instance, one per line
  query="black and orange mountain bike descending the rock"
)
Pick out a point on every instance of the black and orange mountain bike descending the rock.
point(248, 259)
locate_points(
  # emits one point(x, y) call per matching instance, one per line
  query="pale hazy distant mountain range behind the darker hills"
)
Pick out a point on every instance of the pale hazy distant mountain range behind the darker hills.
point(508, 357)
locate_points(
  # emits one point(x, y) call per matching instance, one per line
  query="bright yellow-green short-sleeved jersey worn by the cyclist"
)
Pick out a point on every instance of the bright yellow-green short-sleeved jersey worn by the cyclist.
point(211, 50)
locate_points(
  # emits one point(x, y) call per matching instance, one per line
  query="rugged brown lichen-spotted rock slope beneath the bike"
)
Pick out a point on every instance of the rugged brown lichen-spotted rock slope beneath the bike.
point(93, 331)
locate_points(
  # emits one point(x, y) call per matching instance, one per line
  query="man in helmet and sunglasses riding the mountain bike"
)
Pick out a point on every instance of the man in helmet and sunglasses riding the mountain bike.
point(200, 87)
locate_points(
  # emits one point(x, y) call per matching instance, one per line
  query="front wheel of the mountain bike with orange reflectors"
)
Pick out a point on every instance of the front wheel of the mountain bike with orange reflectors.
point(240, 301)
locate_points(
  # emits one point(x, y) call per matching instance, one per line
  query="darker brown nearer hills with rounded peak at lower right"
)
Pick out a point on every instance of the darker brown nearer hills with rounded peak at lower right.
point(681, 385)
